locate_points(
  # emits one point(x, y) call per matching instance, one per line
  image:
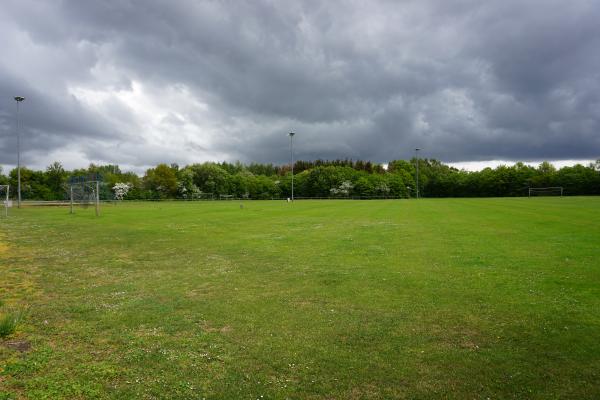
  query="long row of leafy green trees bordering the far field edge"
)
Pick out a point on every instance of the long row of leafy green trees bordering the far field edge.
point(320, 178)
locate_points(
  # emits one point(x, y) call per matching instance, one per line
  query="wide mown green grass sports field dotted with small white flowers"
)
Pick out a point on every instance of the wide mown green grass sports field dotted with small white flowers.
point(449, 298)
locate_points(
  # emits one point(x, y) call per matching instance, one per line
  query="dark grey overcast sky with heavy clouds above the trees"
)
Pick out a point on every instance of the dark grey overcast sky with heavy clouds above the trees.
point(142, 82)
